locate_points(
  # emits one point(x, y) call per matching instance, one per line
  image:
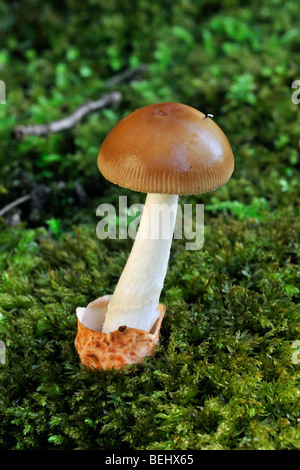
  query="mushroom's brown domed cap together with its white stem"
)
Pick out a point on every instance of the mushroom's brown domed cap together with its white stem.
point(164, 150)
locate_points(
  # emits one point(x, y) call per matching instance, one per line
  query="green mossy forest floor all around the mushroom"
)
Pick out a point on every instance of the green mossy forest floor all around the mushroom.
point(226, 372)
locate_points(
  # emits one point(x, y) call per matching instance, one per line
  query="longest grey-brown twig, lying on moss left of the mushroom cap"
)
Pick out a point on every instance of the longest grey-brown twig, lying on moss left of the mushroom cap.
point(70, 121)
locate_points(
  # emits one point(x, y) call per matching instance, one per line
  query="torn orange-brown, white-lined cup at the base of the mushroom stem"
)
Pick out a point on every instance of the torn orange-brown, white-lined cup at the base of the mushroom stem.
point(116, 349)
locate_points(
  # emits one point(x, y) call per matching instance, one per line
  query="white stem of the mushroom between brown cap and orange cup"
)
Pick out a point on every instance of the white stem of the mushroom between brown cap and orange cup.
point(136, 297)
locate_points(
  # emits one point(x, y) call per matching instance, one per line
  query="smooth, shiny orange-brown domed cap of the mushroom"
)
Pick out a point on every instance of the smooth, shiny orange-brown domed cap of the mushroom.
point(167, 148)
